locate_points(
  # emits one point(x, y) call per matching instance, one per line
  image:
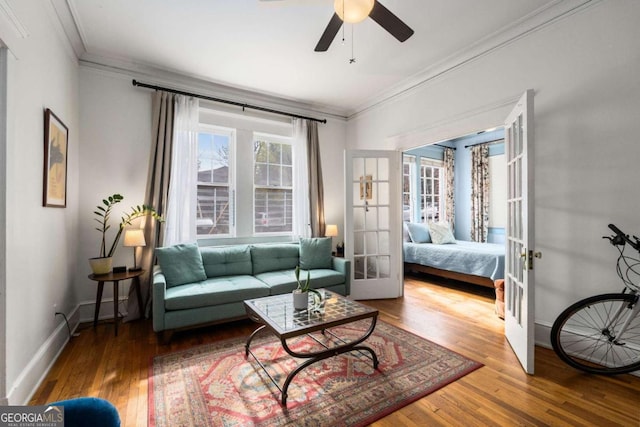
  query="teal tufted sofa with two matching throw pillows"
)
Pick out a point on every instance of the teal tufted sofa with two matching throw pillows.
point(195, 286)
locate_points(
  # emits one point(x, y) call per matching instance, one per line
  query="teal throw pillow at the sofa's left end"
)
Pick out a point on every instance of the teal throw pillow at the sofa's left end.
point(181, 264)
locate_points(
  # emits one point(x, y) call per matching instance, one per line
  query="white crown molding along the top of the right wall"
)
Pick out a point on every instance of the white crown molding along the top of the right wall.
point(549, 14)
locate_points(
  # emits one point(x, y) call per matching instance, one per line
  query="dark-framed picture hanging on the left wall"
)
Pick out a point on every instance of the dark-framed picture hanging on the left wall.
point(56, 146)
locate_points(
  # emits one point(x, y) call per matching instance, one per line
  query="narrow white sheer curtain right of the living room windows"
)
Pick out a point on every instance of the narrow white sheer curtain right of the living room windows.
point(301, 221)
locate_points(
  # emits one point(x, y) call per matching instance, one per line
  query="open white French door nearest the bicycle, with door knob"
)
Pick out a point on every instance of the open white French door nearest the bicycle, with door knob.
point(519, 277)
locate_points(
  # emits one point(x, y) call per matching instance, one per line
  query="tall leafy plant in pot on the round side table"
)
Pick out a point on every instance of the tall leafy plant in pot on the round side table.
point(103, 262)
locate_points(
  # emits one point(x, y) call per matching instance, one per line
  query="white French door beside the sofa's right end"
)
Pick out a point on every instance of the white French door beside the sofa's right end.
point(373, 208)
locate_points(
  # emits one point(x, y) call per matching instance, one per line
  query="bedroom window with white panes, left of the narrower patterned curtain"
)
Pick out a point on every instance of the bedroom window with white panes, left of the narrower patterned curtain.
point(431, 190)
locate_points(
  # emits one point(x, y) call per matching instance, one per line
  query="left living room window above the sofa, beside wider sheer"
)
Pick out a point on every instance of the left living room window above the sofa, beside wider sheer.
point(215, 188)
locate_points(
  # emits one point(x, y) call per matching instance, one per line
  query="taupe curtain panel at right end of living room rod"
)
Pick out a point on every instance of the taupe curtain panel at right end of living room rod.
point(316, 186)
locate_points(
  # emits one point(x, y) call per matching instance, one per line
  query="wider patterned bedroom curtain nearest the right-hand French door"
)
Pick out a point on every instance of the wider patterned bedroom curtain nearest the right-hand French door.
point(479, 193)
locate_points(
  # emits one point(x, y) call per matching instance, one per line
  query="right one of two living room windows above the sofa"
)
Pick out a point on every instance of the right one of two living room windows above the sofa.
point(273, 185)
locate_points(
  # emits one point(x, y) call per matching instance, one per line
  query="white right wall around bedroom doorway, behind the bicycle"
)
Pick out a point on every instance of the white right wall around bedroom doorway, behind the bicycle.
point(584, 69)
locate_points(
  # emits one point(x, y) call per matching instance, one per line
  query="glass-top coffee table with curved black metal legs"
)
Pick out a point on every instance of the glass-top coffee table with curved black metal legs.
point(276, 314)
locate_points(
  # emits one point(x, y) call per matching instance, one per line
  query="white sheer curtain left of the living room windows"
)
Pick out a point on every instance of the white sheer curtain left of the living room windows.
point(180, 217)
